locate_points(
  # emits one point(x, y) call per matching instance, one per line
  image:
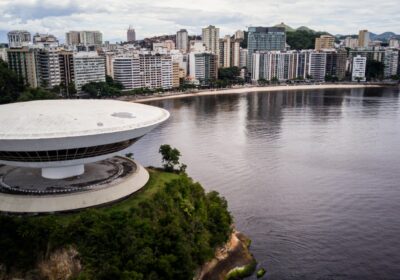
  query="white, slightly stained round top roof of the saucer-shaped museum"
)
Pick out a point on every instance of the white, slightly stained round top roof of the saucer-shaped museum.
point(70, 118)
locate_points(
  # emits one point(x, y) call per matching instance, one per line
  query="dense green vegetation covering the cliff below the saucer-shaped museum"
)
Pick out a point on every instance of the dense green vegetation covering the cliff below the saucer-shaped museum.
point(165, 231)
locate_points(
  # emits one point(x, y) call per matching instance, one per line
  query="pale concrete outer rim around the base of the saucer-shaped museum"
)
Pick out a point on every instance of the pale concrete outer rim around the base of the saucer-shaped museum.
point(113, 191)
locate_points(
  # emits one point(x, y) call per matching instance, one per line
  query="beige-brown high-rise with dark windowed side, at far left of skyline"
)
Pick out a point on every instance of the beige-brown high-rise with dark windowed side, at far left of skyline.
point(23, 62)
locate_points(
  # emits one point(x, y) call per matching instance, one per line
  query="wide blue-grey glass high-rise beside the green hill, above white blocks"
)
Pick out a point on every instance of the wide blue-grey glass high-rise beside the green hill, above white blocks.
point(265, 39)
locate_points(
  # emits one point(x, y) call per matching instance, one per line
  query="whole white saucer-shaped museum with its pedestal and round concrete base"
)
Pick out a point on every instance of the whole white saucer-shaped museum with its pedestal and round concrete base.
point(61, 155)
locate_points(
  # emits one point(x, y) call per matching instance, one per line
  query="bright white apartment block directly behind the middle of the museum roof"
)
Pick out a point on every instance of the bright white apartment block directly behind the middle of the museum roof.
point(88, 67)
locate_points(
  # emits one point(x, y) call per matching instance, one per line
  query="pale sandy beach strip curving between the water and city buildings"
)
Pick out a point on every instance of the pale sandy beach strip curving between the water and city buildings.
point(244, 90)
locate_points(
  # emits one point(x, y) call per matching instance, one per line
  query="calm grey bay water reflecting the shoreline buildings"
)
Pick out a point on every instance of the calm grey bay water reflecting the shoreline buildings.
point(313, 177)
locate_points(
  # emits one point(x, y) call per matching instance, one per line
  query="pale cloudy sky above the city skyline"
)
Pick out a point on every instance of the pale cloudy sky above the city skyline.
point(150, 18)
